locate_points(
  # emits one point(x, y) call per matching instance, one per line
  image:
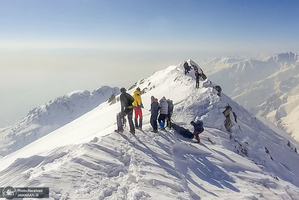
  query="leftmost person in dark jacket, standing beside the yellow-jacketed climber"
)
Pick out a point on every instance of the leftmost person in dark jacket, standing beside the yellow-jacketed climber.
point(126, 101)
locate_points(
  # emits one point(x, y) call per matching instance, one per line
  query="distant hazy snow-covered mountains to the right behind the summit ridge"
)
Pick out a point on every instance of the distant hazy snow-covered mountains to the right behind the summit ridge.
point(267, 86)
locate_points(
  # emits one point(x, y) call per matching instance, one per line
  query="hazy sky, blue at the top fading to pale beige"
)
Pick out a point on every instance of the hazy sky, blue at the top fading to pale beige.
point(50, 48)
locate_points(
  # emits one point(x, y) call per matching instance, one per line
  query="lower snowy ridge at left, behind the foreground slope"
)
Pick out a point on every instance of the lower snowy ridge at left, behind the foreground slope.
point(51, 116)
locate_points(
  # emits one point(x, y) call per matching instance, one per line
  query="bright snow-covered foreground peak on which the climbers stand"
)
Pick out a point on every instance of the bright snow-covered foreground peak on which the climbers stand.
point(85, 159)
